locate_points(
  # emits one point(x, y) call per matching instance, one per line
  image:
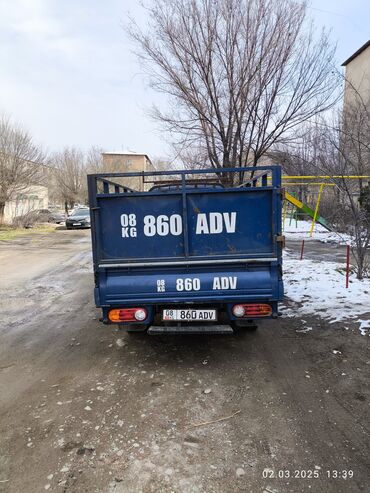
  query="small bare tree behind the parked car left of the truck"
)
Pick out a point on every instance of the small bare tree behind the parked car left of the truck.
point(70, 176)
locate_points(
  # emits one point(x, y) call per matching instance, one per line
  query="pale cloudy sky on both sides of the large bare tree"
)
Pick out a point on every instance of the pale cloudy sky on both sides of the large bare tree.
point(68, 75)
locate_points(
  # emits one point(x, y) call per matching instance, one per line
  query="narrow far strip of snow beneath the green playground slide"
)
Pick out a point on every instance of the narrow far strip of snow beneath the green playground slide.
point(300, 230)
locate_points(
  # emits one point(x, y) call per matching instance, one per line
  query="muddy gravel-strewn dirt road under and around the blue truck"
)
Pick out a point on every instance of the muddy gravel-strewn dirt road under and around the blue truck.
point(87, 408)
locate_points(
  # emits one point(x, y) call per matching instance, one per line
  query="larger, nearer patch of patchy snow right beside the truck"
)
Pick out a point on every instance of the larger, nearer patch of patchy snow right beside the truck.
point(318, 288)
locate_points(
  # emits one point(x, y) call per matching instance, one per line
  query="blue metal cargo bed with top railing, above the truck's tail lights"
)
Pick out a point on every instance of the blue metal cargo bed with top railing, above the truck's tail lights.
point(254, 252)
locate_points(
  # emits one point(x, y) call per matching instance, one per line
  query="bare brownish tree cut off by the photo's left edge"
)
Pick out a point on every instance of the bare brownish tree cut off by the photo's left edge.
point(20, 162)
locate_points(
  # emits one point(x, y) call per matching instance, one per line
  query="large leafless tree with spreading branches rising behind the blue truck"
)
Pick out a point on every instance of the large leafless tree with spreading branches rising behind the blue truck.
point(241, 75)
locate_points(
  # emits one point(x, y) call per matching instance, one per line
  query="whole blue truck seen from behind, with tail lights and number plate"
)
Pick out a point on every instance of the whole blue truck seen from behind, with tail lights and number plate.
point(186, 246)
